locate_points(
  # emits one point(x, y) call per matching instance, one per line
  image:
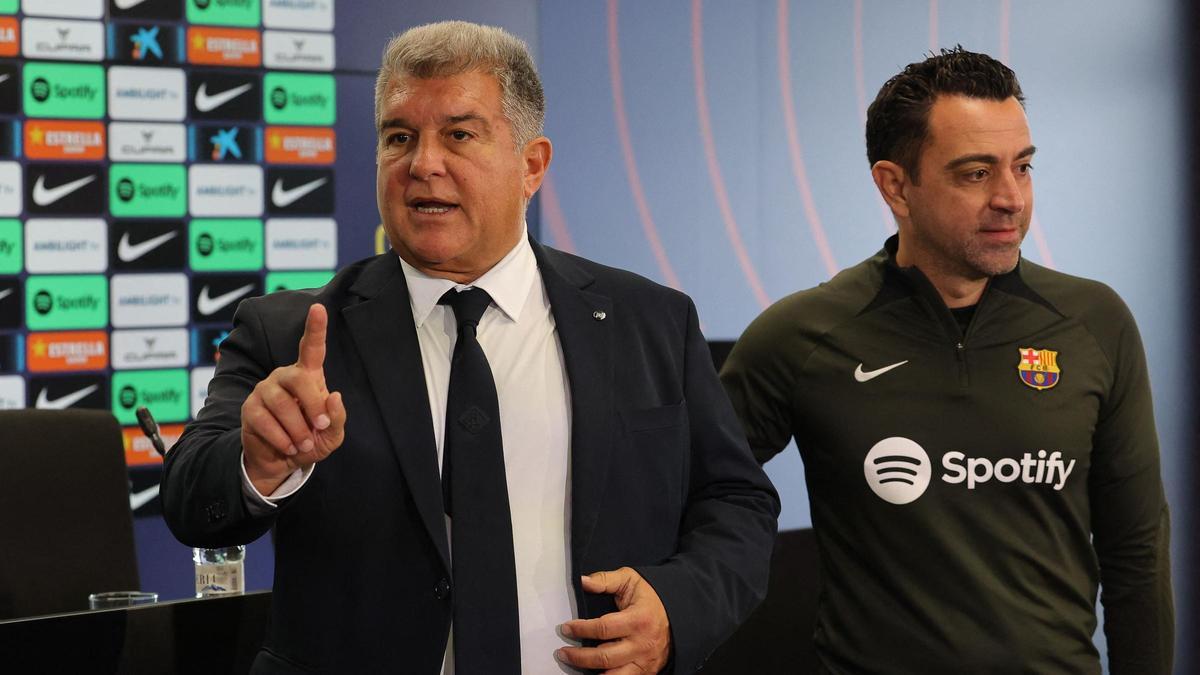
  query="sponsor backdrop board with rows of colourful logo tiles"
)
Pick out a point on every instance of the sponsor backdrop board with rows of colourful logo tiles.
point(161, 162)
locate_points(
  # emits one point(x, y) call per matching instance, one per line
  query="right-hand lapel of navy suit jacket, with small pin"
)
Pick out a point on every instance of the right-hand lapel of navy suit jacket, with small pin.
point(584, 322)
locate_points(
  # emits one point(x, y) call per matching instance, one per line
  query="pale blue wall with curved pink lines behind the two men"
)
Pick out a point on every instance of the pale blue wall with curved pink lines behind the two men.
point(718, 147)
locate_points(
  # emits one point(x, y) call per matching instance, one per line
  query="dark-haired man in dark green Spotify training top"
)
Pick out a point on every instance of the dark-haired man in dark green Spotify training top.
point(977, 431)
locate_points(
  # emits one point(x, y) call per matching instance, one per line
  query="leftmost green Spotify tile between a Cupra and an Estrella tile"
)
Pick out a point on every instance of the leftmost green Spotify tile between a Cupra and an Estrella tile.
point(63, 91)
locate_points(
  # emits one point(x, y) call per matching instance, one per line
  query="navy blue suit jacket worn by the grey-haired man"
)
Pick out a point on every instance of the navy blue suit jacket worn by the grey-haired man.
point(662, 477)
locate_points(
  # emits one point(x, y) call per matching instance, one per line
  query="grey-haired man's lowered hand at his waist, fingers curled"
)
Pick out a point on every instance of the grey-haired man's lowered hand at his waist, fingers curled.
point(635, 640)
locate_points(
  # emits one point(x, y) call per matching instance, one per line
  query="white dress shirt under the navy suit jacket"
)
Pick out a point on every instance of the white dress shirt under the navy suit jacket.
point(523, 348)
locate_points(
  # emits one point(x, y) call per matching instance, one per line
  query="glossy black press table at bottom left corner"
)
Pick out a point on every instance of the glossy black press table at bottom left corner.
point(194, 636)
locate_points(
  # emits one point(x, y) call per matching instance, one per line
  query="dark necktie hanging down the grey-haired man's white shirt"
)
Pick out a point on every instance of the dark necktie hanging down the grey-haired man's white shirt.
point(487, 634)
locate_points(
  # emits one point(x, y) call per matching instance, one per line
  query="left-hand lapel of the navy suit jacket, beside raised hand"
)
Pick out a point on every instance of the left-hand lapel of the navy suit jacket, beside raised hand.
point(386, 336)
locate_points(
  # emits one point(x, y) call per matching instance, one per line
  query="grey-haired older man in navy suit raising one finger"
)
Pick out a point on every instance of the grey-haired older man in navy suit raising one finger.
point(478, 455)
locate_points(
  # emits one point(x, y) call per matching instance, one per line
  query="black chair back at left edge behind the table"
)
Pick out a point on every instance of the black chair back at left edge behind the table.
point(65, 523)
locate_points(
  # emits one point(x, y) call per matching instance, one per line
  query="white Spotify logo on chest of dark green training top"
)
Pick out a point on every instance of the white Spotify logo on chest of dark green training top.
point(898, 470)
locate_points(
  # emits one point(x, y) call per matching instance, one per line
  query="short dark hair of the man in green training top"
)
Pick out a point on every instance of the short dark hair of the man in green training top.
point(898, 120)
